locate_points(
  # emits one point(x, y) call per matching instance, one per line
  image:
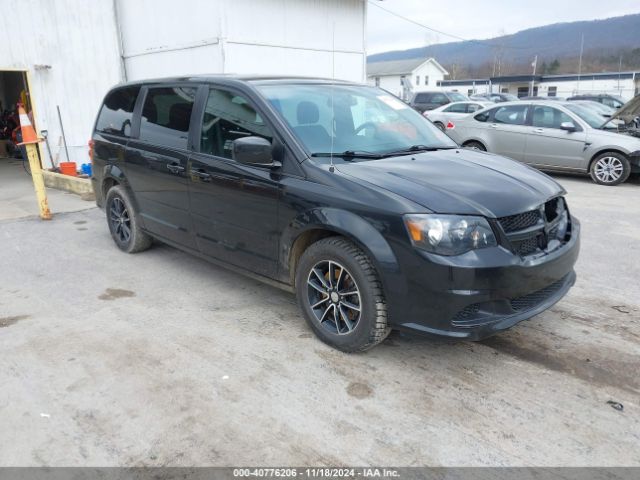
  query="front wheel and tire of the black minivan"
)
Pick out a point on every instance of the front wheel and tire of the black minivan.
point(347, 330)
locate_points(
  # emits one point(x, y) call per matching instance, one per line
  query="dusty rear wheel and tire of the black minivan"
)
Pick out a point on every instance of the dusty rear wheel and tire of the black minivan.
point(123, 222)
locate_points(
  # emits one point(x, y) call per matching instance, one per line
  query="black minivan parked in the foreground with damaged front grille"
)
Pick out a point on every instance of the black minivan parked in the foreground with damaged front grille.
point(340, 193)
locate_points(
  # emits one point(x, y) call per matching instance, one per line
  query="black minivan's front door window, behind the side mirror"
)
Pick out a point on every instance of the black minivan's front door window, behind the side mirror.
point(227, 117)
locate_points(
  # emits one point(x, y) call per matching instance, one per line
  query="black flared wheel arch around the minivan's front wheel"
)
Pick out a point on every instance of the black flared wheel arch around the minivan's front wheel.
point(356, 228)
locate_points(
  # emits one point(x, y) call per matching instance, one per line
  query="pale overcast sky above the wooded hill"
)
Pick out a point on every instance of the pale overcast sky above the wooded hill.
point(473, 19)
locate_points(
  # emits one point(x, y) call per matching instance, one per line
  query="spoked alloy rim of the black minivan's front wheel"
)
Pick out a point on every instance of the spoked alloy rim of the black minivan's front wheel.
point(334, 297)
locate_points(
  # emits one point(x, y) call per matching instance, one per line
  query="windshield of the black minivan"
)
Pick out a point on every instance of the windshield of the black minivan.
point(359, 121)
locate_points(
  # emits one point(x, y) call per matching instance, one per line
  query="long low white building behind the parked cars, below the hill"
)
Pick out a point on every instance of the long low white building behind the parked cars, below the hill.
point(623, 84)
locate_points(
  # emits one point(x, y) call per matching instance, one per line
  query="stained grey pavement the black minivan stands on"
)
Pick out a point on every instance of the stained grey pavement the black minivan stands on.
point(162, 359)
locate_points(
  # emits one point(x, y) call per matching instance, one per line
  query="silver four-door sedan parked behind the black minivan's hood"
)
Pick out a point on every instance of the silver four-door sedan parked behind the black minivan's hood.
point(561, 136)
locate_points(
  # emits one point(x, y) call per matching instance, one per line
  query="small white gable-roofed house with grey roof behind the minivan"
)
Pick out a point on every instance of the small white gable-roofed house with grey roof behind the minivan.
point(404, 77)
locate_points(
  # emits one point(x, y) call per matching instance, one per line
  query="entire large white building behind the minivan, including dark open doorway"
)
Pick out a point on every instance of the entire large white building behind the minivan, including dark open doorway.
point(68, 53)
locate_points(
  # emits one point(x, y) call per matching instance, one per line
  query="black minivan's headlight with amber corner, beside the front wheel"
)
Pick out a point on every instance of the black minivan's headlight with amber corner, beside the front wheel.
point(449, 234)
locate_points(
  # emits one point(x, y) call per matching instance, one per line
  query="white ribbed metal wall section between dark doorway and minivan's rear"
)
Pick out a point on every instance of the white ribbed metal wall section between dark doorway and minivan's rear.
point(78, 40)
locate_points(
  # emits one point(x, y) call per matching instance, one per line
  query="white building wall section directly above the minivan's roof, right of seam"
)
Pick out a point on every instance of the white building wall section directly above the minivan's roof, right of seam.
point(290, 37)
